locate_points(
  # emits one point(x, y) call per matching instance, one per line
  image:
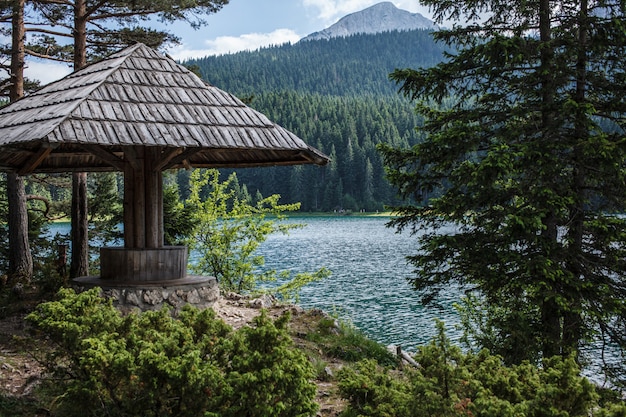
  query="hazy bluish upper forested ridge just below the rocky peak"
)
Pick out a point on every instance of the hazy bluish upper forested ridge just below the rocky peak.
point(352, 66)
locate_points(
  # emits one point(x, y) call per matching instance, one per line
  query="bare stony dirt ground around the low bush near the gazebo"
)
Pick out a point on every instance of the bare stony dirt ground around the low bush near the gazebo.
point(20, 372)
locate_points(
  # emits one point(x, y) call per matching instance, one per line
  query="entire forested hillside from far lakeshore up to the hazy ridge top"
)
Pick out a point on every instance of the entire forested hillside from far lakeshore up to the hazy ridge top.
point(335, 94)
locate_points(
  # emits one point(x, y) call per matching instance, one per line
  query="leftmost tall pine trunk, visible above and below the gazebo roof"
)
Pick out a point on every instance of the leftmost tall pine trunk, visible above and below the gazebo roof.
point(20, 258)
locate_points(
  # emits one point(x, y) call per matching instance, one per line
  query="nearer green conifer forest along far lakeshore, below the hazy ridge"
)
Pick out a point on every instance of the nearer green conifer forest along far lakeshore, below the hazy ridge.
point(347, 130)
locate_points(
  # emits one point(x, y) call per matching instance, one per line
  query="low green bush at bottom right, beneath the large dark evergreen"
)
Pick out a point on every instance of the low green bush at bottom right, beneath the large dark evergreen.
point(451, 383)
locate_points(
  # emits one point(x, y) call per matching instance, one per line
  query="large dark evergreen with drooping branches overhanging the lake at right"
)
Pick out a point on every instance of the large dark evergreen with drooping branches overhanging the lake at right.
point(525, 144)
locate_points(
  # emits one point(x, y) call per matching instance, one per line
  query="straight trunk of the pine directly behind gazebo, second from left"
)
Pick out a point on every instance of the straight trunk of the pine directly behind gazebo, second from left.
point(80, 225)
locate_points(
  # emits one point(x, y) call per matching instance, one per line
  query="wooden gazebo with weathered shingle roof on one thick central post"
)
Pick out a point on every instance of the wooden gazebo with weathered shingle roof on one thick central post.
point(141, 113)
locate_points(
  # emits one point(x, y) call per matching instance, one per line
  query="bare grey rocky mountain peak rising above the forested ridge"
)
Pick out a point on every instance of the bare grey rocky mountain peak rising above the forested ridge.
point(381, 17)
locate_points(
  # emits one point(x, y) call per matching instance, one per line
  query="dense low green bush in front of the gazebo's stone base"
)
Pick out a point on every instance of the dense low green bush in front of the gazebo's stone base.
point(150, 364)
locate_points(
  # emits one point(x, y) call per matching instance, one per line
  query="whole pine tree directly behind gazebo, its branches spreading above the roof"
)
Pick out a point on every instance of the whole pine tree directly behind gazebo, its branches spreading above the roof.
point(88, 24)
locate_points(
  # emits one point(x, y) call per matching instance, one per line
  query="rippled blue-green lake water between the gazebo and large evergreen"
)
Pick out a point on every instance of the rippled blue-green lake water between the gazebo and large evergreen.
point(368, 284)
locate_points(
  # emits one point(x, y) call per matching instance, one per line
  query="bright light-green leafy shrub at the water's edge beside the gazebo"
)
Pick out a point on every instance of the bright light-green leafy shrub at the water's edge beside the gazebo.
point(228, 230)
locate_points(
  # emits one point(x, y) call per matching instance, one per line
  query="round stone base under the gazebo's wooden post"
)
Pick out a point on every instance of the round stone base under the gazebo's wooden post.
point(198, 291)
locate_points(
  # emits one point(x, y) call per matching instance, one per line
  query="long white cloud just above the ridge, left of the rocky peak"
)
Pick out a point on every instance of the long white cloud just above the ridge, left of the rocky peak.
point(230, 44)
